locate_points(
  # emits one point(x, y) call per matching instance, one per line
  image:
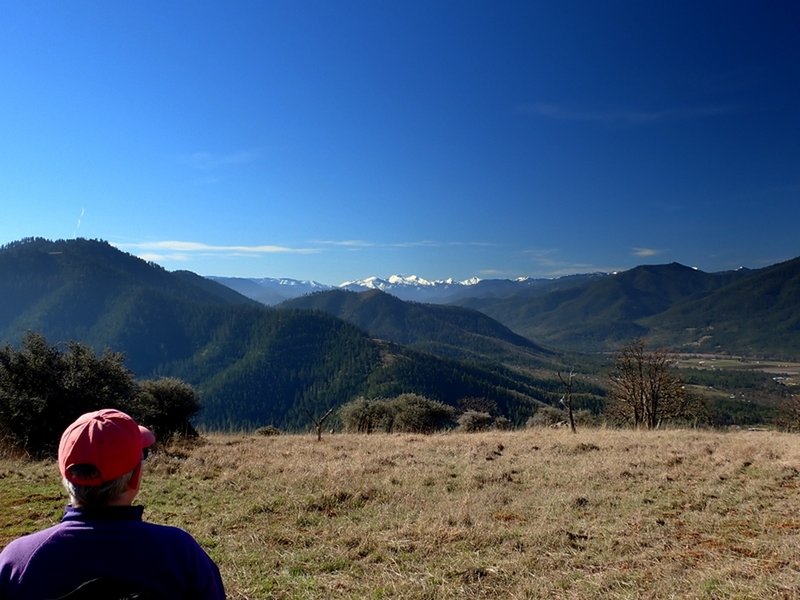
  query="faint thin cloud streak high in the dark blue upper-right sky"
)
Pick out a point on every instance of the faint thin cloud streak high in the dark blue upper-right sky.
point(624, 117)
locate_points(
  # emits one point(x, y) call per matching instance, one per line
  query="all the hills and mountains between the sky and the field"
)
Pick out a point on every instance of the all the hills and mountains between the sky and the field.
point(255, 365)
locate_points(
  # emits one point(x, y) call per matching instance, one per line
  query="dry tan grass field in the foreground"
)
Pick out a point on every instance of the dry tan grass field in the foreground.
point(538, 513)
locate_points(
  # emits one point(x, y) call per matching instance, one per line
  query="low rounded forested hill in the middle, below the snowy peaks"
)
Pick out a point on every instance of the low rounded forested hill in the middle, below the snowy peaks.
point(444, 330)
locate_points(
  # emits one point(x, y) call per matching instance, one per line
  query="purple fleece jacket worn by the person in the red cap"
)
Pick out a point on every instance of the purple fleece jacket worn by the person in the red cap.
point(113, 542)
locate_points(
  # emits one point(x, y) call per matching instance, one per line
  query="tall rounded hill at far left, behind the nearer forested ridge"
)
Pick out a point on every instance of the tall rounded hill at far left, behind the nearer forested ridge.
point(89, 291)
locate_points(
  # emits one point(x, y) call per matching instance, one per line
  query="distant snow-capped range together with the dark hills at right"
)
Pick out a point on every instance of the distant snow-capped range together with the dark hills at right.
point(750, 312)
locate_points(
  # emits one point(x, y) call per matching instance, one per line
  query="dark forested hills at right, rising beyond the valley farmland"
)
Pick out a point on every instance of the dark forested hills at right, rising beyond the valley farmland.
point(751, 312)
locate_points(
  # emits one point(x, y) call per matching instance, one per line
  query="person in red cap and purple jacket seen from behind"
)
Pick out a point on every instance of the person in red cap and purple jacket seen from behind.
point(102, 537)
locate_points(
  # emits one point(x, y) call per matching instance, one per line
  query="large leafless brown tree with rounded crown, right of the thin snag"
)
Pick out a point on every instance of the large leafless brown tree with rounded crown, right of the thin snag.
point(645, 389)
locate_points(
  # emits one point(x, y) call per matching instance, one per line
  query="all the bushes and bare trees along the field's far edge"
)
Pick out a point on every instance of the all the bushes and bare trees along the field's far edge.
point(44, 387)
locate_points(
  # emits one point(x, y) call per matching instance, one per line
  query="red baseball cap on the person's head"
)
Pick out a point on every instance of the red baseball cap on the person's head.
point(107, 439)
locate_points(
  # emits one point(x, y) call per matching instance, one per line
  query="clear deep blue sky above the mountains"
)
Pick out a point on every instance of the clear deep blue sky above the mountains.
point(335, 140)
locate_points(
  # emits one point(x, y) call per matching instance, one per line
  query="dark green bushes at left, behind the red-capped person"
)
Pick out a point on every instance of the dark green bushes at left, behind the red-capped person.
point(44, 387)
